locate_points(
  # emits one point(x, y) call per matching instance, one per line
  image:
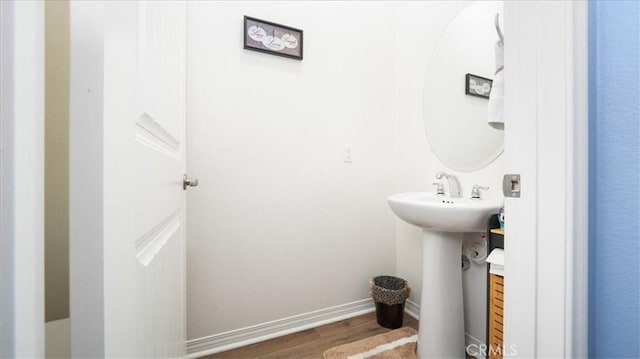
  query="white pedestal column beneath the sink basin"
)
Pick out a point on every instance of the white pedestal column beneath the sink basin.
point(441, 333)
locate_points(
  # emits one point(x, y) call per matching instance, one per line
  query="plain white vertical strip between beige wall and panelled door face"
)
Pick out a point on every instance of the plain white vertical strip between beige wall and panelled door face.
point(86, 163)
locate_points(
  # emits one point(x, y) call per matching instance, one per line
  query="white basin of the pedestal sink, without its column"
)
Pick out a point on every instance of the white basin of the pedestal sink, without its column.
point(442, 213)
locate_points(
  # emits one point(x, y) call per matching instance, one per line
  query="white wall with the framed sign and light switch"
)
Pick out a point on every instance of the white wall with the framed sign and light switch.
point(280, 225)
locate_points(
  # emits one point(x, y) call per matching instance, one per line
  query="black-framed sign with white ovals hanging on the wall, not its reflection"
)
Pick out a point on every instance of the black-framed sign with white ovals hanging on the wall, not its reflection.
point(271, 38)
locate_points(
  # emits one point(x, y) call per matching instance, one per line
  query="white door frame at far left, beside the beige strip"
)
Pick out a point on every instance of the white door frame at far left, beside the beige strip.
point(22, 179)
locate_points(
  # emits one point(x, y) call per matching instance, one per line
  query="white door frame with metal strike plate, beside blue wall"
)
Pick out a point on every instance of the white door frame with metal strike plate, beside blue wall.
point(546, 248)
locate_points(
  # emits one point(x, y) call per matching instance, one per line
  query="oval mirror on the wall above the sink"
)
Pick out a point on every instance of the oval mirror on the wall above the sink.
point(456, 123)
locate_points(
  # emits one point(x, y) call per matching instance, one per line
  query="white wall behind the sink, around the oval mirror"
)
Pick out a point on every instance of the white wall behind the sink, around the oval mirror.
point(418, 29)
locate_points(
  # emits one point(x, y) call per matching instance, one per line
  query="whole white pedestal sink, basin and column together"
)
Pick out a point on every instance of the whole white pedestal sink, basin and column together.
point(443, 220)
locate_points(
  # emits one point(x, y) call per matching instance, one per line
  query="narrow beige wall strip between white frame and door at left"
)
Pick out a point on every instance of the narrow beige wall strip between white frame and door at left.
point(56, 160)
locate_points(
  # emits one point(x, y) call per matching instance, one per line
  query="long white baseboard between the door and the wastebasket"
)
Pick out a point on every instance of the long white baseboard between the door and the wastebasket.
point(217, 343)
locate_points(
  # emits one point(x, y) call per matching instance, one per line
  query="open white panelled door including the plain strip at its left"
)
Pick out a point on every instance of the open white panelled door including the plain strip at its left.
point(127, 162)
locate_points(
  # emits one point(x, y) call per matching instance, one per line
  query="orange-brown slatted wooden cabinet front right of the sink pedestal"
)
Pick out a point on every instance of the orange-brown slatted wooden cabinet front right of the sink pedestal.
point(496, 310)
